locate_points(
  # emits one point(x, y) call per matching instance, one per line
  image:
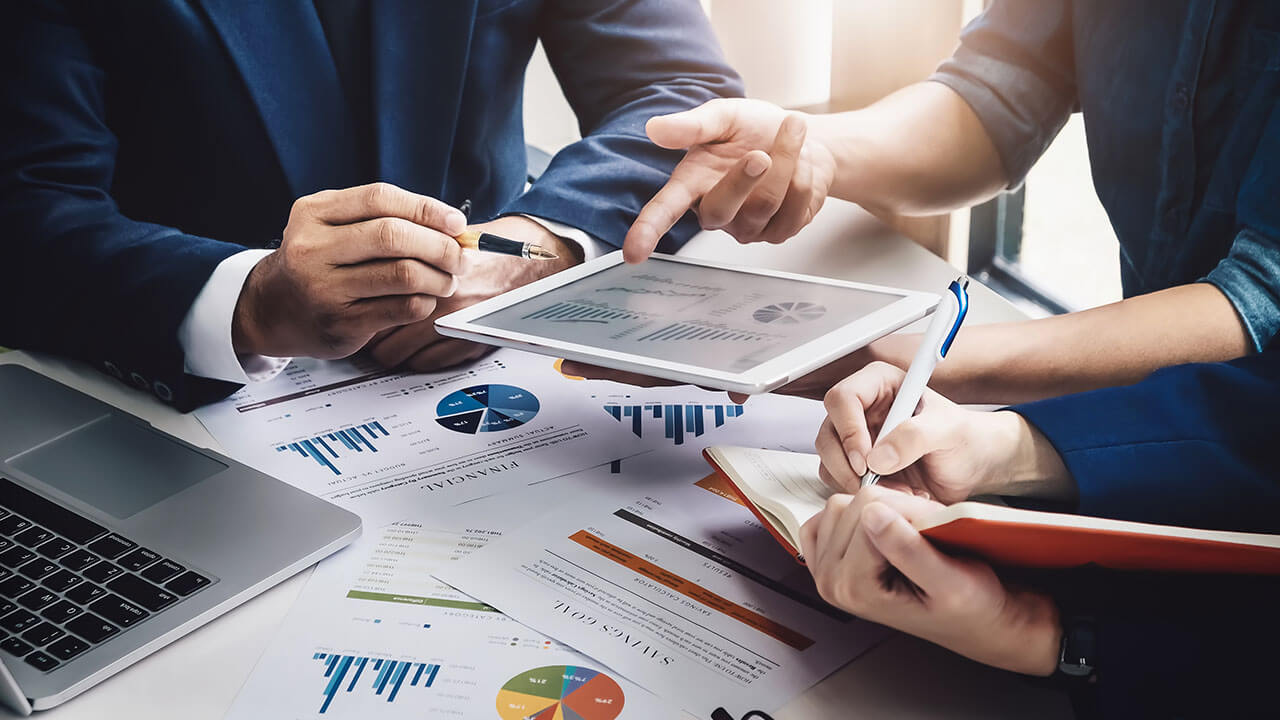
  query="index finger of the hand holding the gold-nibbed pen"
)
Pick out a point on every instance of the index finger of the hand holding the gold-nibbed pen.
point(386, 200)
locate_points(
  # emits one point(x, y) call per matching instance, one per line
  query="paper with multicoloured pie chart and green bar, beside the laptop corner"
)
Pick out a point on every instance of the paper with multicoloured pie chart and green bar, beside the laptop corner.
point(373, 636)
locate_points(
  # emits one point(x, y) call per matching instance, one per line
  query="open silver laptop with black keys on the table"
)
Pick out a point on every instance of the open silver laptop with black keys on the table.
point(117, 540)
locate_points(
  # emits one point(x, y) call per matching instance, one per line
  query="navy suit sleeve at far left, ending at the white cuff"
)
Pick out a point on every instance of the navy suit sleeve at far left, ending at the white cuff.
point(80, 279)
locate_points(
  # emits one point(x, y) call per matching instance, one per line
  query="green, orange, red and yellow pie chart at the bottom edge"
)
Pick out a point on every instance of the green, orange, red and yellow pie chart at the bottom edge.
point(561, 692)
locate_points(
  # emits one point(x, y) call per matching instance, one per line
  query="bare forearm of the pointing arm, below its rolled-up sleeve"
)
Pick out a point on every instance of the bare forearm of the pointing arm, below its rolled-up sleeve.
point(922, 151)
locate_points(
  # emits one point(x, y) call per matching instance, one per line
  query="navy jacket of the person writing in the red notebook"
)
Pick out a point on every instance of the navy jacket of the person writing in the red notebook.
point(1196, 446)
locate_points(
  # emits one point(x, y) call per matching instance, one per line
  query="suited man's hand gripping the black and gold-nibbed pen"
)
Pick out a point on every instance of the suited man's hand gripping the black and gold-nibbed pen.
point(351, 263)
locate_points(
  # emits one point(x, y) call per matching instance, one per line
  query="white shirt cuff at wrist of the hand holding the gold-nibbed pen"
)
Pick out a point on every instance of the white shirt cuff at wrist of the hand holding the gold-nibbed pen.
point(205, 334)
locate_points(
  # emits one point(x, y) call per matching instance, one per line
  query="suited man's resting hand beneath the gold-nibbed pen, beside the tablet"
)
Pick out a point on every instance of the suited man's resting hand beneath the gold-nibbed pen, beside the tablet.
point(482, 276)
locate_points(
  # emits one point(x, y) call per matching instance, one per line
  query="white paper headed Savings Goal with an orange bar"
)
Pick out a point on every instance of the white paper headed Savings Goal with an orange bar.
point(676, 587)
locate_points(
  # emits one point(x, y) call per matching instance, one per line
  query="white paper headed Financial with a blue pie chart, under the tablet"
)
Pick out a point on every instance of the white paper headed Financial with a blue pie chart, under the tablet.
point(388, 445)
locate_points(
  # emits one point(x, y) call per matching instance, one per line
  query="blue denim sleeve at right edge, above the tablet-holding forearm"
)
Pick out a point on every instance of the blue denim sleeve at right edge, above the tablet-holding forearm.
point(1250, 276)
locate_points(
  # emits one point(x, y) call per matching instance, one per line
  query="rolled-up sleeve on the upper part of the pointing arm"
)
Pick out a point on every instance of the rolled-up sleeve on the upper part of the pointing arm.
point(1016, 69)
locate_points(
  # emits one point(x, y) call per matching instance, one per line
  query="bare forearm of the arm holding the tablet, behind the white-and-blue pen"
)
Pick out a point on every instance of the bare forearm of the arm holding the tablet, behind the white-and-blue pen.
point(1113, 345)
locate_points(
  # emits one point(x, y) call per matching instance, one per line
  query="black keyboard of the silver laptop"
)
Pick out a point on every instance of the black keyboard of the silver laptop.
point(68, 584)
